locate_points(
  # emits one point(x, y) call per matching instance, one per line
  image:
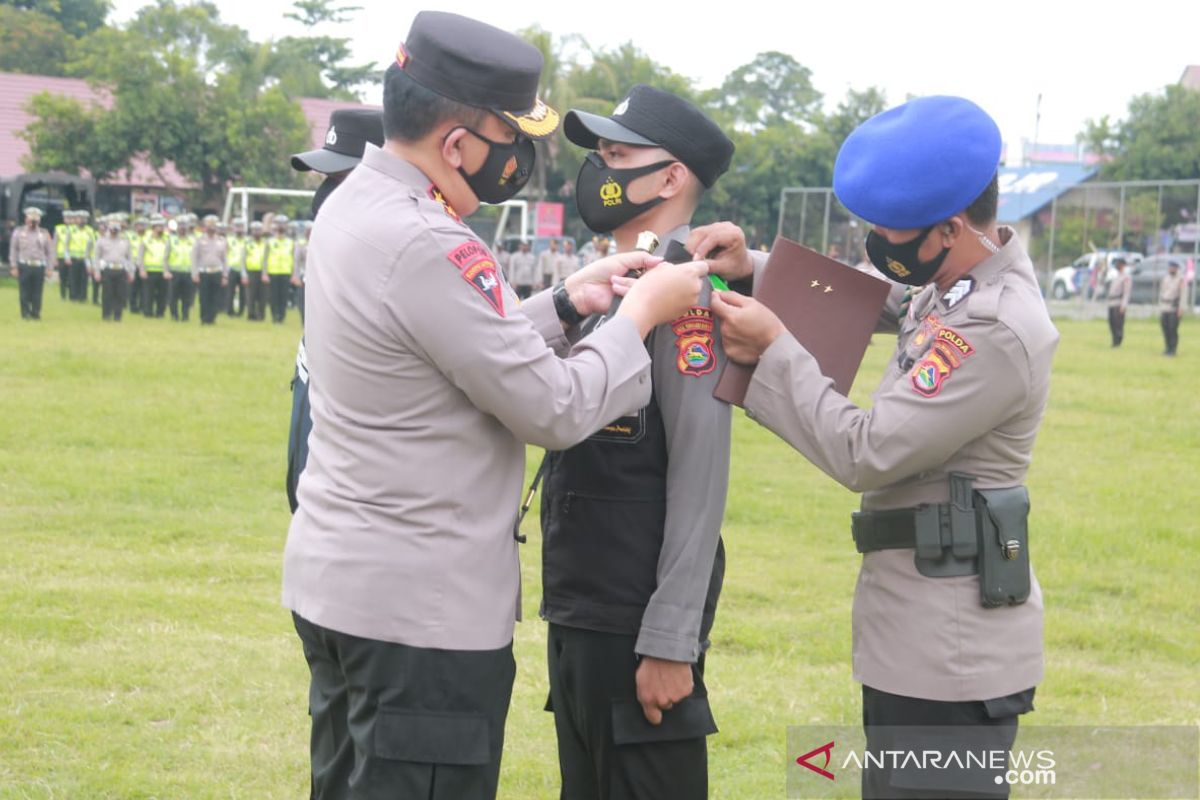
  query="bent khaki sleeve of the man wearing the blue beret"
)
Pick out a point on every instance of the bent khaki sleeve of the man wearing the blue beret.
point(920, 418)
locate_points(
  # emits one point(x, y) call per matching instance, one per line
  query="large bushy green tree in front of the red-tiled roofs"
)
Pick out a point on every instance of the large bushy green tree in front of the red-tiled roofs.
point(182, 87)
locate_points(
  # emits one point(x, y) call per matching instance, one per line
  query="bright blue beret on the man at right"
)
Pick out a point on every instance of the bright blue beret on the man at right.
point(916, 165)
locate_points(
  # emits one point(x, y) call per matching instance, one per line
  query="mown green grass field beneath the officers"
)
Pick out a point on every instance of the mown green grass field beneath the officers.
point(145, 653)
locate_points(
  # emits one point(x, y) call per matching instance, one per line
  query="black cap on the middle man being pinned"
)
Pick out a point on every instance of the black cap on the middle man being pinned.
point(652, 118)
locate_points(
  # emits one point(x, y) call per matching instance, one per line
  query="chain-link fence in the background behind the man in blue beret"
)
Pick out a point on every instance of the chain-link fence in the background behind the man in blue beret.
point(1072, 239)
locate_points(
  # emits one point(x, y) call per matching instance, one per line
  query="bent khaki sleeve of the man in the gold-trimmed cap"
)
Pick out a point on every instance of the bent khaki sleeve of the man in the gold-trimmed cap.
point(496, 357)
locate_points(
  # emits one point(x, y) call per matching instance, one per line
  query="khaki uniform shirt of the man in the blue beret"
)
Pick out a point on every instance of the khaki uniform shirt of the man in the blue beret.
point(964, 393)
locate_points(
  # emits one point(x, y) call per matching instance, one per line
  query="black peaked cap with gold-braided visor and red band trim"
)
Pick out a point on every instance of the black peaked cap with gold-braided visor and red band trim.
point(476, 64)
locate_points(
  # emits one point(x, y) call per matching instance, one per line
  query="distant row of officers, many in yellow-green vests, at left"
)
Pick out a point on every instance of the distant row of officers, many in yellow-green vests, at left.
point(152, 266)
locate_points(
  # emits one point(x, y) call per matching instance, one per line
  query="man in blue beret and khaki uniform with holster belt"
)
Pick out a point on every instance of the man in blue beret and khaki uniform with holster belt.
point(947, 618)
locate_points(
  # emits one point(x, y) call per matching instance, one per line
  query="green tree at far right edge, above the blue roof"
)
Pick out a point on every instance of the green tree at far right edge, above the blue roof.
point(1157, 141)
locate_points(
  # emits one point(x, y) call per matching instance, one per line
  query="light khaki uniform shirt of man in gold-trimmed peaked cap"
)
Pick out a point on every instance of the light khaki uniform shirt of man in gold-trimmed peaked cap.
point(427, 381)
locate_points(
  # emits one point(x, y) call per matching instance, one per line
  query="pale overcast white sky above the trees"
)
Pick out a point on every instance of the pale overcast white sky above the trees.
point(1085, 59)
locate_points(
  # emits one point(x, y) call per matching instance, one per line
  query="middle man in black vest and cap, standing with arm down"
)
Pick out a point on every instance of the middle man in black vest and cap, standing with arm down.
point(632, 518)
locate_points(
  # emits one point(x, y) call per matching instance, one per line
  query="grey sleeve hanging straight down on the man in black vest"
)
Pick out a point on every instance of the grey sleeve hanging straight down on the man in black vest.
point(698, 436)
